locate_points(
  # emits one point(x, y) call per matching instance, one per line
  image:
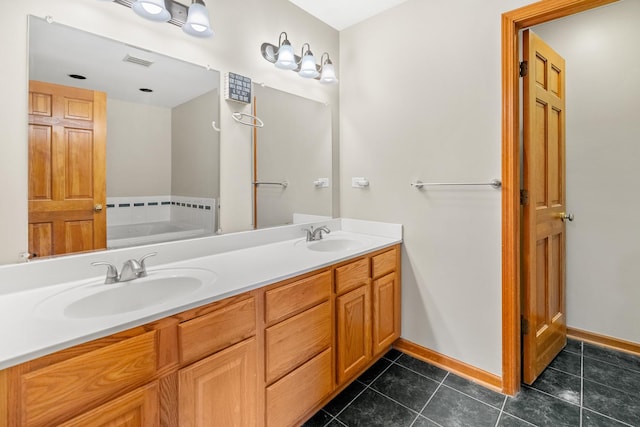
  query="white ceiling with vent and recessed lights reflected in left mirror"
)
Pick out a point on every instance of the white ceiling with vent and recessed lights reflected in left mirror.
point(56, 50)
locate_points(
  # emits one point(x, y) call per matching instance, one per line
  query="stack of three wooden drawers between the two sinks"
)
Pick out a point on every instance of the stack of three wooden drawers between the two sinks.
point(298, 348)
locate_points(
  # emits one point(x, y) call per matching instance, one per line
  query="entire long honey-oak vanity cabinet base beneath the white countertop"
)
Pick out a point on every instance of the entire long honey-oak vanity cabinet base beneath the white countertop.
point(266, 358)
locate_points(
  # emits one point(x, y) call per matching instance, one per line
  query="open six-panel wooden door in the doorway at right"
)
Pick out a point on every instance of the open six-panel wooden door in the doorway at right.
point(543, 296)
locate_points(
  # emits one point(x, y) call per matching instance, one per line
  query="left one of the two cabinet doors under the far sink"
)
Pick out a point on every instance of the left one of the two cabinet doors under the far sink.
point(354, 331)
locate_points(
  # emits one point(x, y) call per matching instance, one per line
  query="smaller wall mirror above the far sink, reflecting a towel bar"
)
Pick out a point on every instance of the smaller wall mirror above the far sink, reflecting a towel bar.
point(291, 159)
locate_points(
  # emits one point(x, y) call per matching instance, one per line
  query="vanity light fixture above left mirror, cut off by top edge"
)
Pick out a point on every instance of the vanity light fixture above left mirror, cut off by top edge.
point(194, 20)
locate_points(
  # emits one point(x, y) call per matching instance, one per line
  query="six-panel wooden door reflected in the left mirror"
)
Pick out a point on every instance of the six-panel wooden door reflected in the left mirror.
point(67, 169)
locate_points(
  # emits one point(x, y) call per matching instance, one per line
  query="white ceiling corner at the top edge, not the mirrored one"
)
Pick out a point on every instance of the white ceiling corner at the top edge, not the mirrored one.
point(341, 14)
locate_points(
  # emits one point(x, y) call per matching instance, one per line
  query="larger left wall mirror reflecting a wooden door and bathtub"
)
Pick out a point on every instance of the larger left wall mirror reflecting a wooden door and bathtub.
point(159, 169)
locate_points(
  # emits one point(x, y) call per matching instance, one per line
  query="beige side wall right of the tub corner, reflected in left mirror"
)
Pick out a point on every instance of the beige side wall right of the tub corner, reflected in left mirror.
point(195, 150)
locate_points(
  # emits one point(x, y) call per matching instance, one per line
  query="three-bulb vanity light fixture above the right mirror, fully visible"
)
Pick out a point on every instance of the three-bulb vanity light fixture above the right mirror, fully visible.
point(282, 56)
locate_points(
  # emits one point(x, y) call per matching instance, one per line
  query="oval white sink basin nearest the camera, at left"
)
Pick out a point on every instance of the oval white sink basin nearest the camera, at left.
point(96, 299)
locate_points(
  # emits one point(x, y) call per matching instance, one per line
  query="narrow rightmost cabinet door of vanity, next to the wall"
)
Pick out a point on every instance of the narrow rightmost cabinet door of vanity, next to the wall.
point(386, 305)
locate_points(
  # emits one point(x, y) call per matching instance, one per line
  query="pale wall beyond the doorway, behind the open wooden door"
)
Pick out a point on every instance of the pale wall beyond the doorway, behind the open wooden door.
point(603, 150)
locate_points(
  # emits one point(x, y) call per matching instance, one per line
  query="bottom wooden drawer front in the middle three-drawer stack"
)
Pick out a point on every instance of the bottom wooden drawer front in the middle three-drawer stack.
point(291, 397)
